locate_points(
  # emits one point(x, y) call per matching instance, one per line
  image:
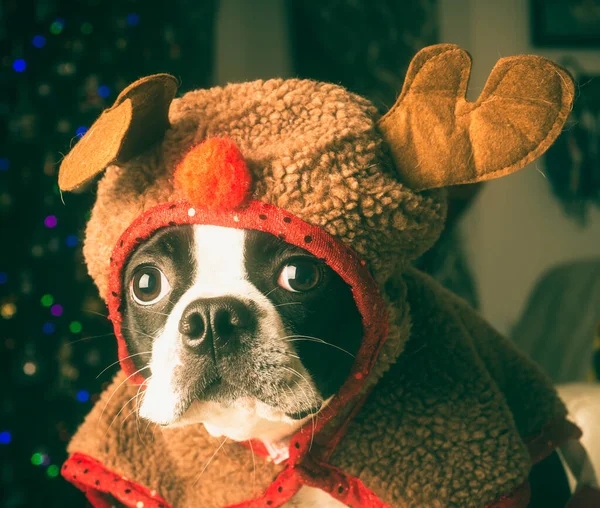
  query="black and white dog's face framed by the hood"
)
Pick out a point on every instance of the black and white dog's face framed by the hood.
point(234, 328)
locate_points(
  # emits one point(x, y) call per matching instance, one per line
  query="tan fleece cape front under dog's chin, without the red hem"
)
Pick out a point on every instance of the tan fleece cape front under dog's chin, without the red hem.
point(169, 461)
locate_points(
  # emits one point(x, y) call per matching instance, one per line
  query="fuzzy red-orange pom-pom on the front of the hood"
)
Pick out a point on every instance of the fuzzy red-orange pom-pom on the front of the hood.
point(214, 175)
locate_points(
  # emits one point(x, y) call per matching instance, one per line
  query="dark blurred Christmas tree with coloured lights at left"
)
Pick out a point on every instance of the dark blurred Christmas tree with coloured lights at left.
point(62, 63)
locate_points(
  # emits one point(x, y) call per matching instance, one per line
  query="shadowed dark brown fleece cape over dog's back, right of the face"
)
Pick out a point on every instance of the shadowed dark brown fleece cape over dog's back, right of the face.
point(449, 423)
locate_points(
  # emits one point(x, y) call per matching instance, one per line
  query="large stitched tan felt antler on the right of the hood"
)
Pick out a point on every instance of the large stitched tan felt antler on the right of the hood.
point(438, 138)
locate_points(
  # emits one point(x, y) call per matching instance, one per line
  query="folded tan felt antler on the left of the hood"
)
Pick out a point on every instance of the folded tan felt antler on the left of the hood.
point(137, 119)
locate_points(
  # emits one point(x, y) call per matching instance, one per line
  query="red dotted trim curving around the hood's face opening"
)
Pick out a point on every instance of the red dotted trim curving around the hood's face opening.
point(270, 219)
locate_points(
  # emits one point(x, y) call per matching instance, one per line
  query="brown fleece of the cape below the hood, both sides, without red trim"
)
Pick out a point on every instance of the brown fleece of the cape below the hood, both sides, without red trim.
point(445, 425)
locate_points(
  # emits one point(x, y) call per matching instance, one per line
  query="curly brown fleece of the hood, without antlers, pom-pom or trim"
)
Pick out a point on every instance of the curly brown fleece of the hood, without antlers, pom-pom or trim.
point(314, 150)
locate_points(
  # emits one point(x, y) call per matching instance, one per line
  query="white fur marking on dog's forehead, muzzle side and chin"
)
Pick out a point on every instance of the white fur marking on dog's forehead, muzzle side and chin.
point(220, 271)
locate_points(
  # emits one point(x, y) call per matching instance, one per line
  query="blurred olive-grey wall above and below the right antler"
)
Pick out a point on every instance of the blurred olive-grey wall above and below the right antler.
point(516, 229)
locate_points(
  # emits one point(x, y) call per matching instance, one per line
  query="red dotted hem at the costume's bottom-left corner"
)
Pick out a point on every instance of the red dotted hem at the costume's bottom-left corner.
point(97, 482)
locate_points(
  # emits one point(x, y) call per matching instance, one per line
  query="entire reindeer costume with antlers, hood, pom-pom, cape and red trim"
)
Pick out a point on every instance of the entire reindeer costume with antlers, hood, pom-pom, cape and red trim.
point(439, 410)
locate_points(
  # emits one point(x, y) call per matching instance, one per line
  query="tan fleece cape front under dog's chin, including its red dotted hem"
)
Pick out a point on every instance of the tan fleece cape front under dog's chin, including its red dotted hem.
point(118, 458)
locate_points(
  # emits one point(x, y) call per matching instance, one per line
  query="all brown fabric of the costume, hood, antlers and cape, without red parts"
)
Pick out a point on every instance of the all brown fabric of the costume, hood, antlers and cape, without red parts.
point(445, 422)
